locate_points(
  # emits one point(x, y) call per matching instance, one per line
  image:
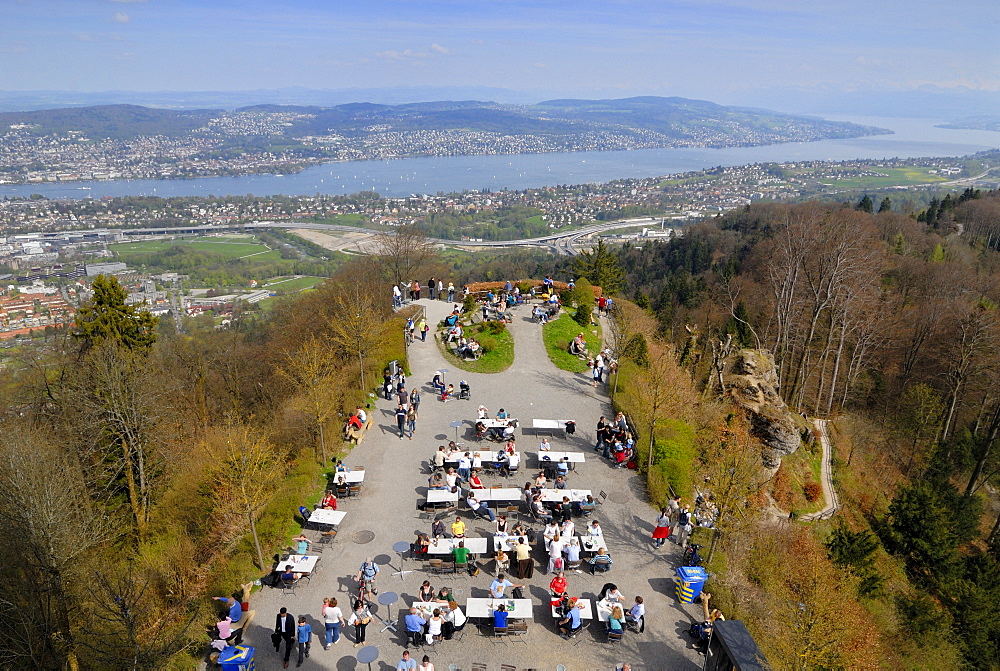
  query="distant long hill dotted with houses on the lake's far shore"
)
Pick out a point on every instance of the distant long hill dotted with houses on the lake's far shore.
point(647, 121)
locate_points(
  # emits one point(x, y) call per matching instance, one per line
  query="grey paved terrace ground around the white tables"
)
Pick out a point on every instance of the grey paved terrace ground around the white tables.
point(396, 482)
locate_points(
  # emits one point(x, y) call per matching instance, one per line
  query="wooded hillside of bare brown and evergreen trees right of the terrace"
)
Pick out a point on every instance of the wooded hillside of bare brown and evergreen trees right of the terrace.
point(890, 326)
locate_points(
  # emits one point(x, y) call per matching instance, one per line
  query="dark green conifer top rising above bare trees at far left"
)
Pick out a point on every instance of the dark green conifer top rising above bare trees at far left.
point(106, 317)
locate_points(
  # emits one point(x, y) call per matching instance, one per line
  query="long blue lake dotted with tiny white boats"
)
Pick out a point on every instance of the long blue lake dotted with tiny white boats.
point(912, 138)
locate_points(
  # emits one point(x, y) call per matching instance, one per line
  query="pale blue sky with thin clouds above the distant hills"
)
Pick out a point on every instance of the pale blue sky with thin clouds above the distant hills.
point(728, 51)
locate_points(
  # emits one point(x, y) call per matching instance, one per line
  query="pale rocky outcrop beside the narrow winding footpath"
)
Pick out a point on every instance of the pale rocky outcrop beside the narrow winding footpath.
point(748, 377)
